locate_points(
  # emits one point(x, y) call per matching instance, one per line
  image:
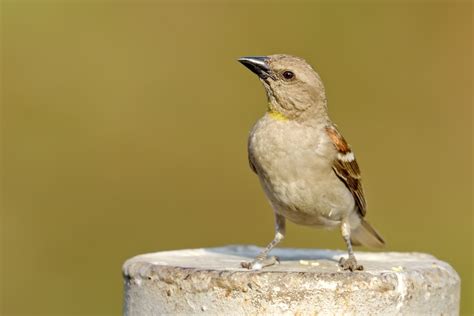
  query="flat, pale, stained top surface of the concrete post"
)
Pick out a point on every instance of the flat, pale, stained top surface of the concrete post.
point(296, 260)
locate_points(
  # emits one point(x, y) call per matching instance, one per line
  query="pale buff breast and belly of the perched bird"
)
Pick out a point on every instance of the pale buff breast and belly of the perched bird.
point(294, 163)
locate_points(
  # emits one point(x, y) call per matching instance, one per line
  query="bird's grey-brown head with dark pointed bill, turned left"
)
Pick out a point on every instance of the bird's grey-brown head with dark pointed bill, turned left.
point(294, 89)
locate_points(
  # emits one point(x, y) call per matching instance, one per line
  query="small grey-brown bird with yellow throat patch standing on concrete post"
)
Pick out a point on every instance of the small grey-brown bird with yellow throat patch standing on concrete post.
point(306, 168)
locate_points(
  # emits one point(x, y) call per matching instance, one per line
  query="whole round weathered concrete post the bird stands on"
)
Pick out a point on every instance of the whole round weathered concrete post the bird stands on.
point(210, 281)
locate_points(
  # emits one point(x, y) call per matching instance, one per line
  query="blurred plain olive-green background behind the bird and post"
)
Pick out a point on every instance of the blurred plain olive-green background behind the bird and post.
point(124, 128)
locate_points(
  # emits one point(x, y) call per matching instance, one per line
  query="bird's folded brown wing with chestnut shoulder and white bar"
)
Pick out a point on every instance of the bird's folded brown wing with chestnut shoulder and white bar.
point(346, 168)
